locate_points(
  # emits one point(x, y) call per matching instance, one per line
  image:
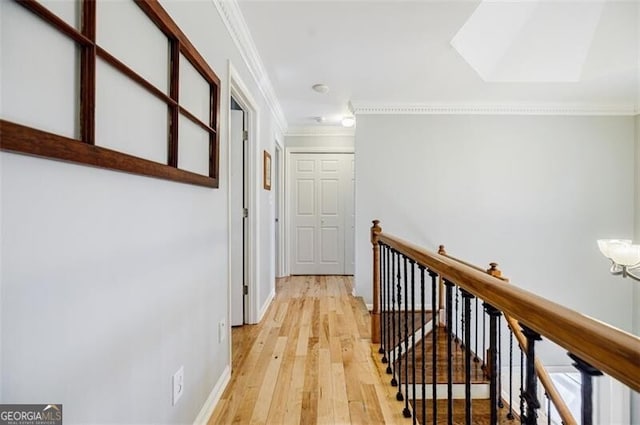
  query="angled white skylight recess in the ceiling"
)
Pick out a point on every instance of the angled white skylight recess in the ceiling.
point(529, 41)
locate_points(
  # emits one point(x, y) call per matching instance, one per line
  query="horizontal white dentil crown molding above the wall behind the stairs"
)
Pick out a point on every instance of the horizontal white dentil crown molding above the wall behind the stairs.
point(364, 108)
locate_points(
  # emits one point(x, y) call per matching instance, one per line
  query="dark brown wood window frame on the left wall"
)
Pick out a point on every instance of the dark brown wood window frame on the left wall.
point(15, 137)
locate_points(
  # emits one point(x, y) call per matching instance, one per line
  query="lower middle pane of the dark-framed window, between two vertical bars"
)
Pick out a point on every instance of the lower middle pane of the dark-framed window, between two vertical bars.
point(128, 118)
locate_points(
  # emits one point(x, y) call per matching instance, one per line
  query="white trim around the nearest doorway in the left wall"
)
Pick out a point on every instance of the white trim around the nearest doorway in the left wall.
point(242, 95)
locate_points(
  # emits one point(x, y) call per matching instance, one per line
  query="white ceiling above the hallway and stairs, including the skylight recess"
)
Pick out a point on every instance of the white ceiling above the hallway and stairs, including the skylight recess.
point(378, 55)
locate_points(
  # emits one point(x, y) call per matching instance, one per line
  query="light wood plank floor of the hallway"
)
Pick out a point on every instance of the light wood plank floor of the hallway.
point(309, 361)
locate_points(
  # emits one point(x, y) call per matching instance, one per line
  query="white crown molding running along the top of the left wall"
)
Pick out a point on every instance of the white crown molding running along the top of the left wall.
point(231, 15)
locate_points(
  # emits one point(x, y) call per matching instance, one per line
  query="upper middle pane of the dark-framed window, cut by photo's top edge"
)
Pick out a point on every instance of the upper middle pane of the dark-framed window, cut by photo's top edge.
point(127, 33)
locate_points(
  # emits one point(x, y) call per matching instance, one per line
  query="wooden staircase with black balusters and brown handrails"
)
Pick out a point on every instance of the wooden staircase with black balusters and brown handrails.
point(459, 343)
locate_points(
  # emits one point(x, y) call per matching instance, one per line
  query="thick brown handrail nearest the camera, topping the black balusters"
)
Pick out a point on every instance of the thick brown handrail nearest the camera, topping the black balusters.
point(609, 349)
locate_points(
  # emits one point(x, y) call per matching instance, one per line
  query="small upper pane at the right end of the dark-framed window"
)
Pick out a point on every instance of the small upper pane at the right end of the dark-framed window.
point(194, 91)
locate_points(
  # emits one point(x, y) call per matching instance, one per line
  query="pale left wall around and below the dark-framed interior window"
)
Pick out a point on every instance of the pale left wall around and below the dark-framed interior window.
point(110, 281)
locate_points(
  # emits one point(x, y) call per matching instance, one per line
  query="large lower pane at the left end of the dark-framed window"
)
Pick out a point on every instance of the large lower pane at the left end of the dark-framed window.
point(40, 73)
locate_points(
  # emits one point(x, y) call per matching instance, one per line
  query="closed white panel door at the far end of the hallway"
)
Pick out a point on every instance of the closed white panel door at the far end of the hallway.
point(320, 195)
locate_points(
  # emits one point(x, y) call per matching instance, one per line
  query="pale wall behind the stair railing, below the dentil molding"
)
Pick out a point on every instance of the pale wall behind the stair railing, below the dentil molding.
point(532, 193)
